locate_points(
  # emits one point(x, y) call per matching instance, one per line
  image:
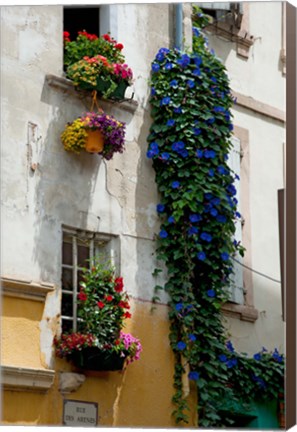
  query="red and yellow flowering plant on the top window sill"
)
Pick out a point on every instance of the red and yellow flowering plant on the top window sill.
point(94, 63)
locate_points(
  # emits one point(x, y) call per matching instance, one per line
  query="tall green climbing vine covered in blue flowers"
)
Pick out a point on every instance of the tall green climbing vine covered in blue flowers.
point(189, 143)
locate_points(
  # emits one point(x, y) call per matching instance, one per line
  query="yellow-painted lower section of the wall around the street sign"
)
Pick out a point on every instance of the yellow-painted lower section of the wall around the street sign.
point(140, 396)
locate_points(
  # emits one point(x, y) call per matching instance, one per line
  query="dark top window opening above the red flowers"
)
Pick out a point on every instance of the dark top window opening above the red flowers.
point(81, 18)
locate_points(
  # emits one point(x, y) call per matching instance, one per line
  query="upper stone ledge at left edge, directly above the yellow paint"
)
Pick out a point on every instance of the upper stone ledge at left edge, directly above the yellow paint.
point(25, 289)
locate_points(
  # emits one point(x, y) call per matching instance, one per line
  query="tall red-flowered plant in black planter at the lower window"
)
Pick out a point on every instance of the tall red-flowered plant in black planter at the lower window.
point(103, 306)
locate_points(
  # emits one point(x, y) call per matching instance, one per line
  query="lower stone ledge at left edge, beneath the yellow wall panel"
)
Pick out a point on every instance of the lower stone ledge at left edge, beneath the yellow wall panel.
point(26, 379)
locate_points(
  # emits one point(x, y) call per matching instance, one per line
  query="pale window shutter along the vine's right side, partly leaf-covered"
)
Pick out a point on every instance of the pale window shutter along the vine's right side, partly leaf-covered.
point(236, 289)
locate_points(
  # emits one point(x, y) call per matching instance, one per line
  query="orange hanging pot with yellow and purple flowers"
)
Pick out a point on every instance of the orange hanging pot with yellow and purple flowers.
point(95, 132)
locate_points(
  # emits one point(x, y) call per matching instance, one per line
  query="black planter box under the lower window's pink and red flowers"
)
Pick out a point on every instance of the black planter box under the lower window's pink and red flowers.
point(93, 358)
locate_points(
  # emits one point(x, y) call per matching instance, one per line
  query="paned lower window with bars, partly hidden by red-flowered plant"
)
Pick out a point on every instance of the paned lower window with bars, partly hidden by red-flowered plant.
point(78, 252)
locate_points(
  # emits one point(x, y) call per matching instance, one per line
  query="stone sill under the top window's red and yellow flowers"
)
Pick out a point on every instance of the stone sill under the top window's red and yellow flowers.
point(64, 84)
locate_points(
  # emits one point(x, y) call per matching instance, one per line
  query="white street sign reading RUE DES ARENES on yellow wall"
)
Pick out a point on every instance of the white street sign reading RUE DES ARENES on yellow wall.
point(78, 413)
